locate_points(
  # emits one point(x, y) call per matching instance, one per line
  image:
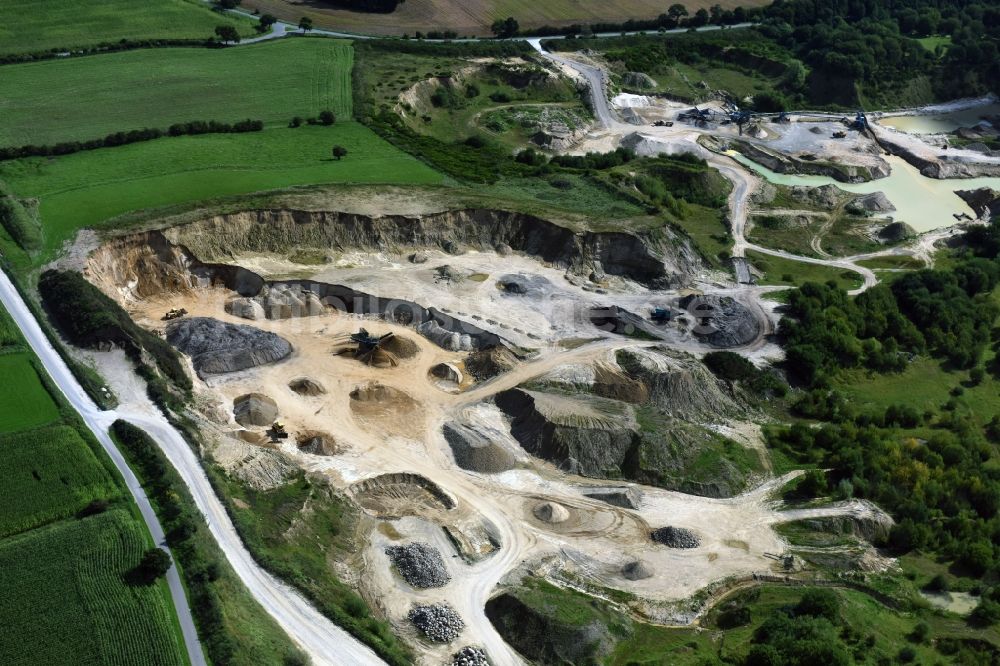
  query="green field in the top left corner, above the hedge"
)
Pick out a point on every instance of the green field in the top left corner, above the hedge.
point(40, 25)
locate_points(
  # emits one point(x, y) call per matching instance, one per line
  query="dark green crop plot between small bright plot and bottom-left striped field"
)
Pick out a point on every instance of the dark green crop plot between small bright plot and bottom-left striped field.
point(48, 474)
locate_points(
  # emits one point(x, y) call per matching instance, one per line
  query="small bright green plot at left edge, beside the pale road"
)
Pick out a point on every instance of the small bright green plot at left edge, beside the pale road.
point(24, 401)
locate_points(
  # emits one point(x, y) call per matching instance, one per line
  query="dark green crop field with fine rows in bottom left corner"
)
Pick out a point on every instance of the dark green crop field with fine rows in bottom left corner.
point(66, 599)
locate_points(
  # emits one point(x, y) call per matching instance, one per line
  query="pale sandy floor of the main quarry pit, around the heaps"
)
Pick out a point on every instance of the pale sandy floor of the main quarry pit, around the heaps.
point(404, 434)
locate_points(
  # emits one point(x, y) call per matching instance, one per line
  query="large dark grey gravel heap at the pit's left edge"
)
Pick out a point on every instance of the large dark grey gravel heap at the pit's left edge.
point(217, 347)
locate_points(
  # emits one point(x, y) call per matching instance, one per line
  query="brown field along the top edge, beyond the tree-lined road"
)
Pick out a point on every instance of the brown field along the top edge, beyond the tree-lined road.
point(474, 17)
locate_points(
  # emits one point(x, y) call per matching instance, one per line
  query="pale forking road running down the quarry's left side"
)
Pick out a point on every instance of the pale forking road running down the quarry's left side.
point(323, 641)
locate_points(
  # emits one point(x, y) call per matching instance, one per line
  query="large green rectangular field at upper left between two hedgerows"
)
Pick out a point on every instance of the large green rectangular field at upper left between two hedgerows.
point(90, 97)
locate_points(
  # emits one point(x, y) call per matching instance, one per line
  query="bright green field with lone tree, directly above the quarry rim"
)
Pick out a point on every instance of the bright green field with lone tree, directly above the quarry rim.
point(87, 188)
